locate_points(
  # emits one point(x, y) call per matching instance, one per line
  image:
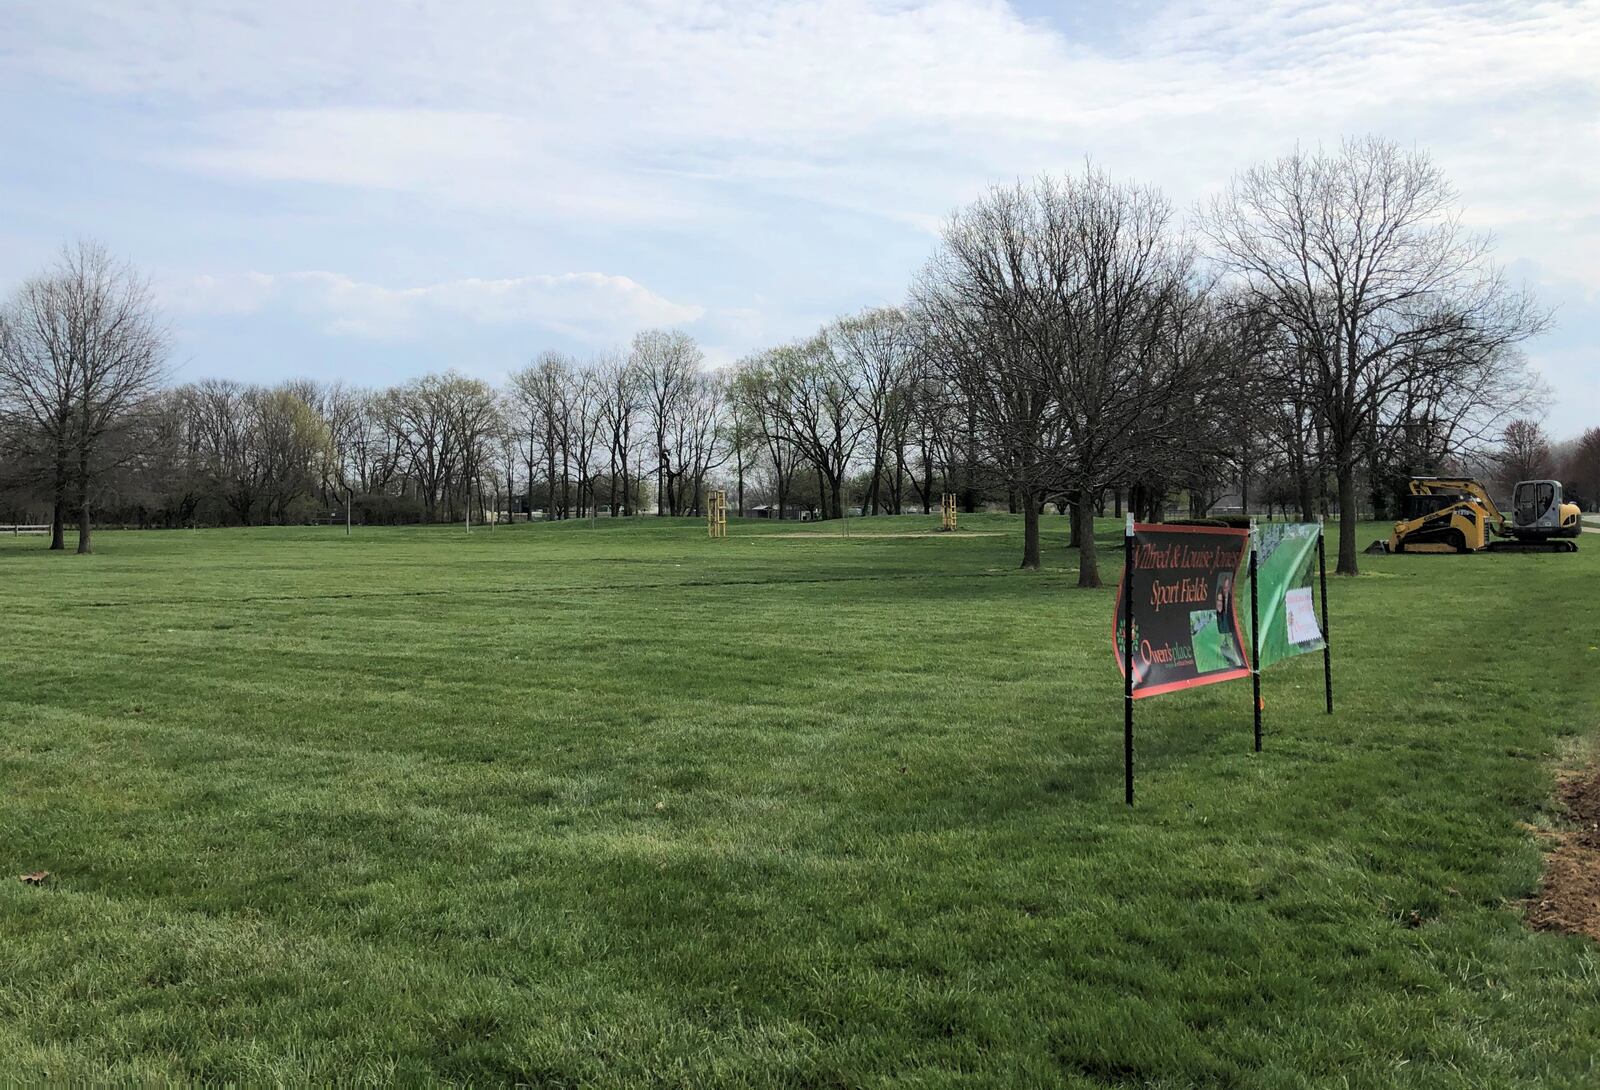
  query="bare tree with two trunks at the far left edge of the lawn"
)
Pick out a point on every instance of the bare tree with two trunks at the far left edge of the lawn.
point(82, 350)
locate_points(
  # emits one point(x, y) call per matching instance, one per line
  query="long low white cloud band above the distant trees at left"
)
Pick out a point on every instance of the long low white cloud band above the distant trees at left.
point(585, 307)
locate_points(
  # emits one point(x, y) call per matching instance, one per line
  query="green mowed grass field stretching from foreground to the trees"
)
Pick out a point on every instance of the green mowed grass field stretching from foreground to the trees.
point(622, 806)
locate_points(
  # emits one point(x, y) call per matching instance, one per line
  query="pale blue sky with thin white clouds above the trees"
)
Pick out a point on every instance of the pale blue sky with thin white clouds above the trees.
point(370, 191)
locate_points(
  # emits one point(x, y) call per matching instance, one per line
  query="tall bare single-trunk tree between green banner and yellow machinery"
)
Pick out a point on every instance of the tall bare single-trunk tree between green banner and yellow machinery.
point(1361, 255)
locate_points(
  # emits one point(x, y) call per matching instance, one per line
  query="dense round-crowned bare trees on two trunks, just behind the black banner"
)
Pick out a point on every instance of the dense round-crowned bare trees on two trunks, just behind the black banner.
point(1062, 311)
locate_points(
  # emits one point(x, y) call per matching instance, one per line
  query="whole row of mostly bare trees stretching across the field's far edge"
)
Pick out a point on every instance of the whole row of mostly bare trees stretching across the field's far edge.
point(1303, 343)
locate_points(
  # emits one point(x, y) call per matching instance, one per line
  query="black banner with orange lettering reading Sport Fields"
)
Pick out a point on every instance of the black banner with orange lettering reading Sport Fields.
point(1186, 625)
